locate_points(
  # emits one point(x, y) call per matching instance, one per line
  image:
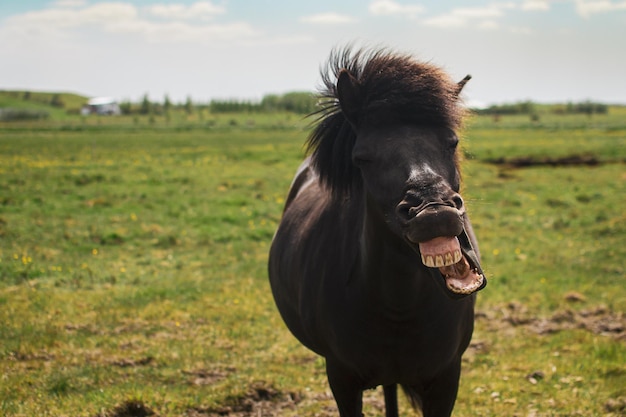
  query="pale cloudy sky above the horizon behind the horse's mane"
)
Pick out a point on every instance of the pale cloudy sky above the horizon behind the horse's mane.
point(544, 50)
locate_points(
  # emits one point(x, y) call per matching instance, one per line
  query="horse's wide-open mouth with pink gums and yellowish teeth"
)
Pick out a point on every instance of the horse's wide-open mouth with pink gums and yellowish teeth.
point(456, 261)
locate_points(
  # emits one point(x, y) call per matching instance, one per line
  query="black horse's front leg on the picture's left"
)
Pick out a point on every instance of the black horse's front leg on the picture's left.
point(346, 389)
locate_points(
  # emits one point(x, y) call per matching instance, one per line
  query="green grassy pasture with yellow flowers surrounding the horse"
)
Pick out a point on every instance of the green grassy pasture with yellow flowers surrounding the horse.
point(133, 269)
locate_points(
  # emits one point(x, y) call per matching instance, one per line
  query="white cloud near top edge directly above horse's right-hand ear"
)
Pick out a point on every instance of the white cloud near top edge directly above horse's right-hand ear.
point(479, 17)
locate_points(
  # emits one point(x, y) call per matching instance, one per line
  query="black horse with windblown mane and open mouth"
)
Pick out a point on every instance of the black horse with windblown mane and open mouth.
point(374, 265)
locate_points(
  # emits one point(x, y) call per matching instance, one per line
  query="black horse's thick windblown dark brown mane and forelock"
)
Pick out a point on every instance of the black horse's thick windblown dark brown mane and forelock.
point(392, 86)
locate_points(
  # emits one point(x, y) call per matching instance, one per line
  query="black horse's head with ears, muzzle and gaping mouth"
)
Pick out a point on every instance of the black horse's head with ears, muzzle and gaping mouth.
point(408, 167)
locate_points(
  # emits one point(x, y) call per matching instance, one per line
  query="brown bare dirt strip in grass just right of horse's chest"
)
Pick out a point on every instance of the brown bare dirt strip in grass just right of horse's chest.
point(598, 320)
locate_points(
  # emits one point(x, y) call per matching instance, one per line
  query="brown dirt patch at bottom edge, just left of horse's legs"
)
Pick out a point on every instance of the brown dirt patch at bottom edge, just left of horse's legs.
point(261, 399)
